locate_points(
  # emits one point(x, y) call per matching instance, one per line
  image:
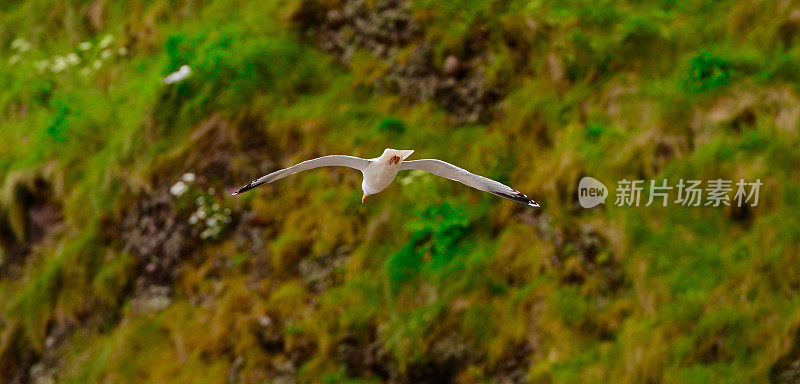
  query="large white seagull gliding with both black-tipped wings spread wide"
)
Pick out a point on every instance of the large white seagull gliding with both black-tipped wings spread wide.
point(381, 171)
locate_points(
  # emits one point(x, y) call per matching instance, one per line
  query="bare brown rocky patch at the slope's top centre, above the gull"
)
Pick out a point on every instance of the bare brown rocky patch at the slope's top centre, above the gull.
point(385, 28)
